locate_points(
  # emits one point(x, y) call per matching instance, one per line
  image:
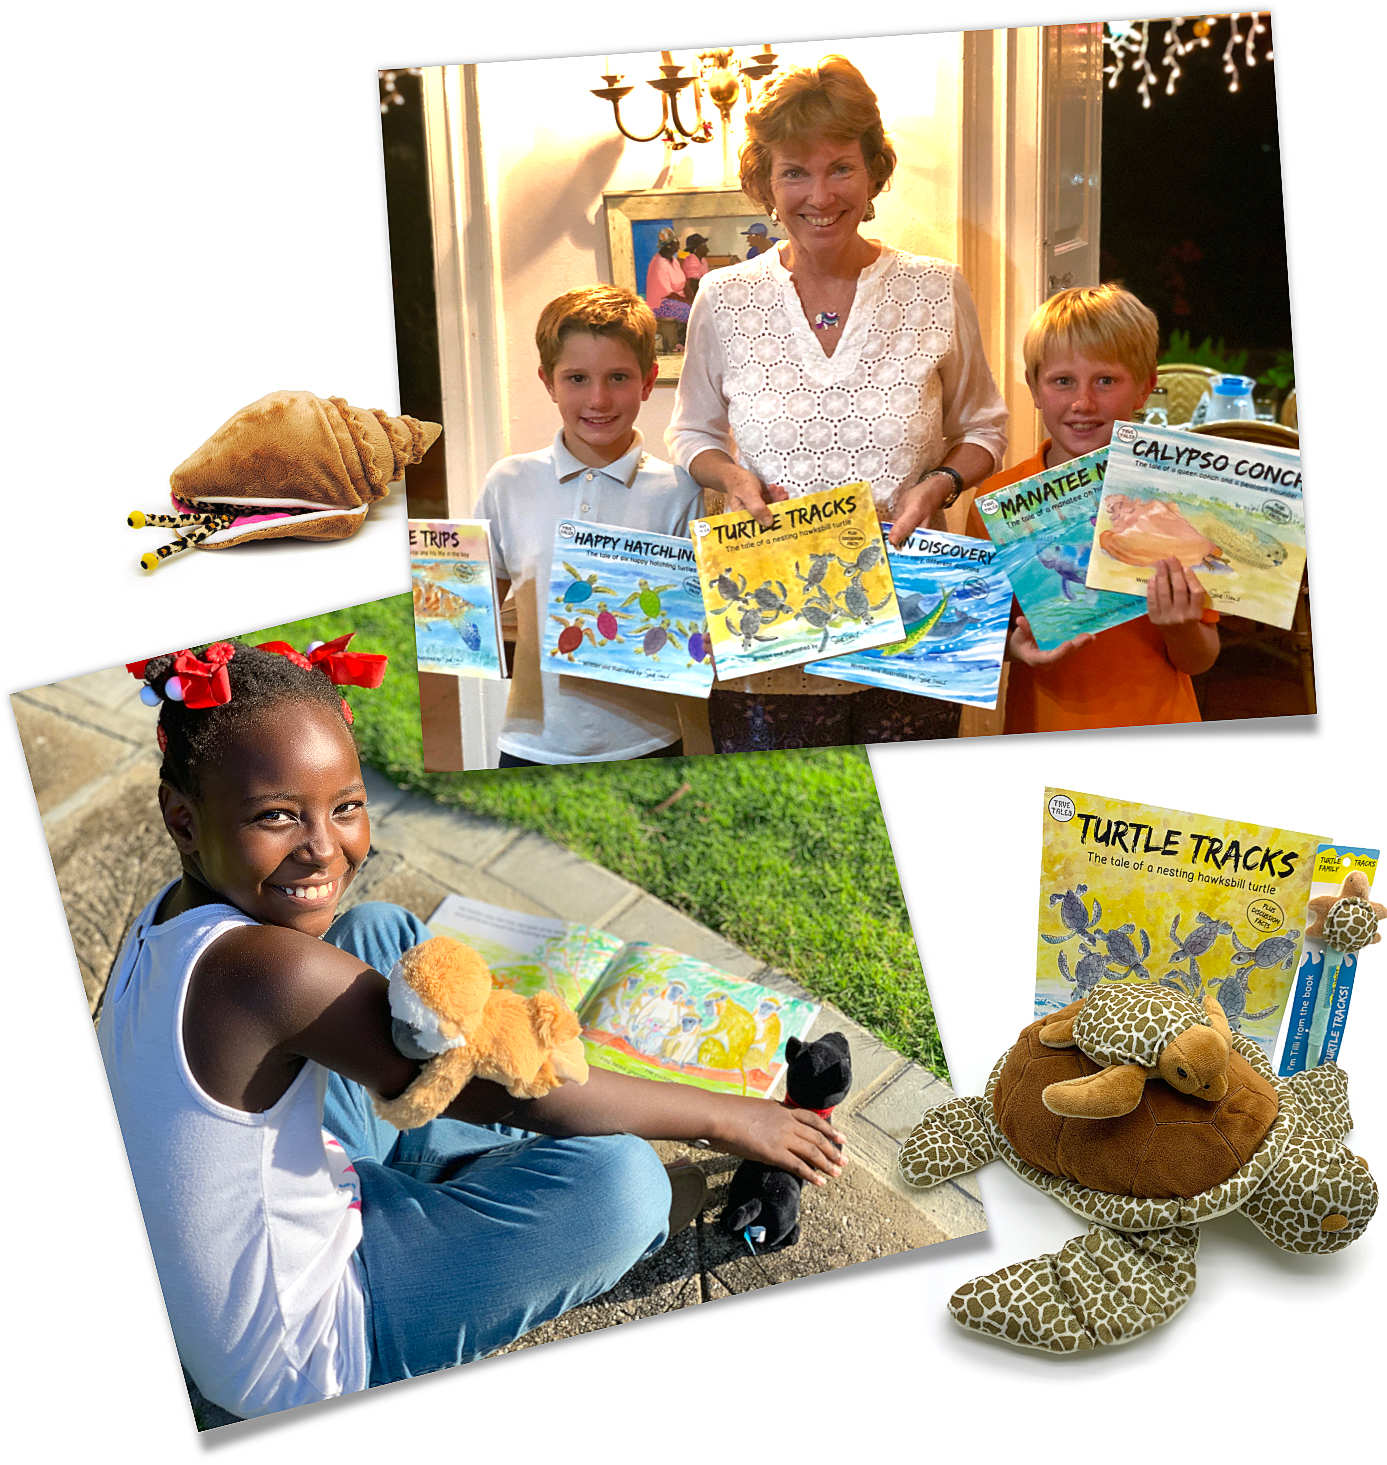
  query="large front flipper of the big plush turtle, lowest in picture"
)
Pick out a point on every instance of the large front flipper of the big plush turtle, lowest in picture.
point(1098, 1290)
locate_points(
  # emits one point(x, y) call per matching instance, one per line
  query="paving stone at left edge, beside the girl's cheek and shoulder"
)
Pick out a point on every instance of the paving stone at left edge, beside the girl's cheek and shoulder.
point(111, 858)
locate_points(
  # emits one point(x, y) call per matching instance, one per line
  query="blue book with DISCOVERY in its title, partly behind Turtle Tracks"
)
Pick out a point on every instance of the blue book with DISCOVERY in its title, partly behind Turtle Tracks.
point(956, 606)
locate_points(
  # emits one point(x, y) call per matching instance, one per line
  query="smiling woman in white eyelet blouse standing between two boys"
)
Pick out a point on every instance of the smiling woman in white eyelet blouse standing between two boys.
point(831, 360)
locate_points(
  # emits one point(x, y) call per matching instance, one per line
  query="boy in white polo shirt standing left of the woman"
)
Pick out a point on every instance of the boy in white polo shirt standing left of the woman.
point(597, 360)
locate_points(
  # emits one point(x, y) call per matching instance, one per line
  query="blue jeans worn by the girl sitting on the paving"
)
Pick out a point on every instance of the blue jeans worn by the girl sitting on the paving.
point(472, 1236)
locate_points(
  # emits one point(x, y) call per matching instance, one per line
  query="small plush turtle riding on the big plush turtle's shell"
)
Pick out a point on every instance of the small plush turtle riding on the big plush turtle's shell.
point(1137, 1032)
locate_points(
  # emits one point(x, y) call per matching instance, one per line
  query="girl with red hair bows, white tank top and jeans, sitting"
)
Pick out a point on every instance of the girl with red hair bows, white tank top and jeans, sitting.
point(305, 1247)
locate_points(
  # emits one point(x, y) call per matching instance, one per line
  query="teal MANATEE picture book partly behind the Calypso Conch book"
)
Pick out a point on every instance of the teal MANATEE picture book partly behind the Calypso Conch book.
point(1044, 533)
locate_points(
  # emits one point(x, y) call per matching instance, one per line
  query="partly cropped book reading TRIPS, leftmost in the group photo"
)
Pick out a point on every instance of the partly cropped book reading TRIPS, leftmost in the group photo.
point(458, 619)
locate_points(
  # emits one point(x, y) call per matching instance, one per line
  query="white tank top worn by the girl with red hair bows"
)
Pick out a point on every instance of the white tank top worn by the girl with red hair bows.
point(253, 1218)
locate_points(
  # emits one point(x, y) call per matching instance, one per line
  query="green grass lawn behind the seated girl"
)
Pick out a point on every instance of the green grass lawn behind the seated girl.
point(786, 855)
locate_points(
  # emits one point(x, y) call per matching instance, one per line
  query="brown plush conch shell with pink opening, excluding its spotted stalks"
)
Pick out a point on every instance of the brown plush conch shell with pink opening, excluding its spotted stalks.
point(300, 467)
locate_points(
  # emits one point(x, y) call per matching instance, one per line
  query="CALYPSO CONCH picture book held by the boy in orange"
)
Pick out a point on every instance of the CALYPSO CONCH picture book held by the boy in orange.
point(1231, 512)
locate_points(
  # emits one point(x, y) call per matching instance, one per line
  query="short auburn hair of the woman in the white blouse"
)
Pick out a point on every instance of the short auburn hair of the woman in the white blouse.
point(830, 100)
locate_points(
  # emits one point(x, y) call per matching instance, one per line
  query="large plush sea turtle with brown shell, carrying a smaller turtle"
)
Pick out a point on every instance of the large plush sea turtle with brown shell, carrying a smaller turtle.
point(1271, 1148)
